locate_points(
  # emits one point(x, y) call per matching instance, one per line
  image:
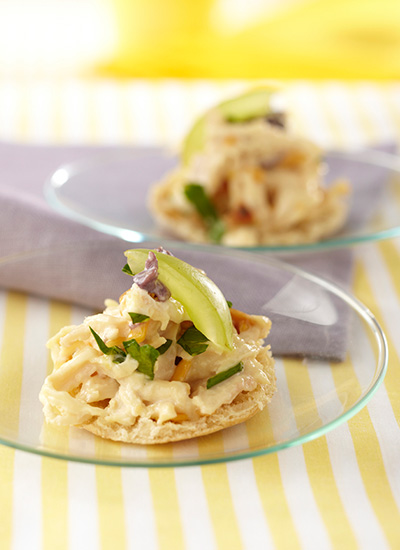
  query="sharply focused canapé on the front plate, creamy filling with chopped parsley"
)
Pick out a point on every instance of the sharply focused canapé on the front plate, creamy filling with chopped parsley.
point(170, 361)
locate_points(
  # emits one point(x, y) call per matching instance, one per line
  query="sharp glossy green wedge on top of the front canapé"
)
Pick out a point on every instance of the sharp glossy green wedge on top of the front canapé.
point(201, 298)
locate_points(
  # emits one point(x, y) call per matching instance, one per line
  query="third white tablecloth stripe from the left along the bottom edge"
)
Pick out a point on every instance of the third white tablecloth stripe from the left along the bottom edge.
point(138, 508)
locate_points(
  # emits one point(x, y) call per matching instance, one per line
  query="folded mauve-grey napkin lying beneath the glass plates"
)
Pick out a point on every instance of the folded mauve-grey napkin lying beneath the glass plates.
point(82, 266)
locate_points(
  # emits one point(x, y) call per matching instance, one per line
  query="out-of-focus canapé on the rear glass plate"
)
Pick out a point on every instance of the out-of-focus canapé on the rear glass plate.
point(245, 180)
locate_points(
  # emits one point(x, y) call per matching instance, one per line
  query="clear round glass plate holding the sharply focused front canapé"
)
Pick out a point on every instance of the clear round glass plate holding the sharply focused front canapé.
point(331, 354)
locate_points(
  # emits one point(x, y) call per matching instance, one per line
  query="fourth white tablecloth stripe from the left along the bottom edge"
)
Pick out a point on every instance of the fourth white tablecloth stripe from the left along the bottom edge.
point(194, 512)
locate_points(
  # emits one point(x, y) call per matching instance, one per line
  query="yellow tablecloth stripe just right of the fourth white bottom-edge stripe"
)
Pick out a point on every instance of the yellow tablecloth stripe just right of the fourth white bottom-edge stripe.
point(219, 496)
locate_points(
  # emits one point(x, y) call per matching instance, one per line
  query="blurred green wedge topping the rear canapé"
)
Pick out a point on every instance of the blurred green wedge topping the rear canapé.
point(253, 104)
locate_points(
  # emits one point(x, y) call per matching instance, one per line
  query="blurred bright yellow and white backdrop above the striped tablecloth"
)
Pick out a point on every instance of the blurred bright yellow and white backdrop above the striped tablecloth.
point(347, 39)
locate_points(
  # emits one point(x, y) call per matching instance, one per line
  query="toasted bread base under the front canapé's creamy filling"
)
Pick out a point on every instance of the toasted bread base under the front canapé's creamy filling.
point(147, 432)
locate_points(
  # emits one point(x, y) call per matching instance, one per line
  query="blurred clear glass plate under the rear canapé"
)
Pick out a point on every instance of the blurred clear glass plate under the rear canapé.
point(109, 193)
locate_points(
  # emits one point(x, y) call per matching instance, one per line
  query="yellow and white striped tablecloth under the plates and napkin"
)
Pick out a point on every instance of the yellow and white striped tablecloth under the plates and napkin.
point(341, 490)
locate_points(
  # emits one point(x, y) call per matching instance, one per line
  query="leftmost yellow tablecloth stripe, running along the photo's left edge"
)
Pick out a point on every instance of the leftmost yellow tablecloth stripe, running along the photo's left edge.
point(11, 366)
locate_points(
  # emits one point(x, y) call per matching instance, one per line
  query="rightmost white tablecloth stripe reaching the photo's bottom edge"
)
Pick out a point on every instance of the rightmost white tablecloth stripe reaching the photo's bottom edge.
point(345, 470)
